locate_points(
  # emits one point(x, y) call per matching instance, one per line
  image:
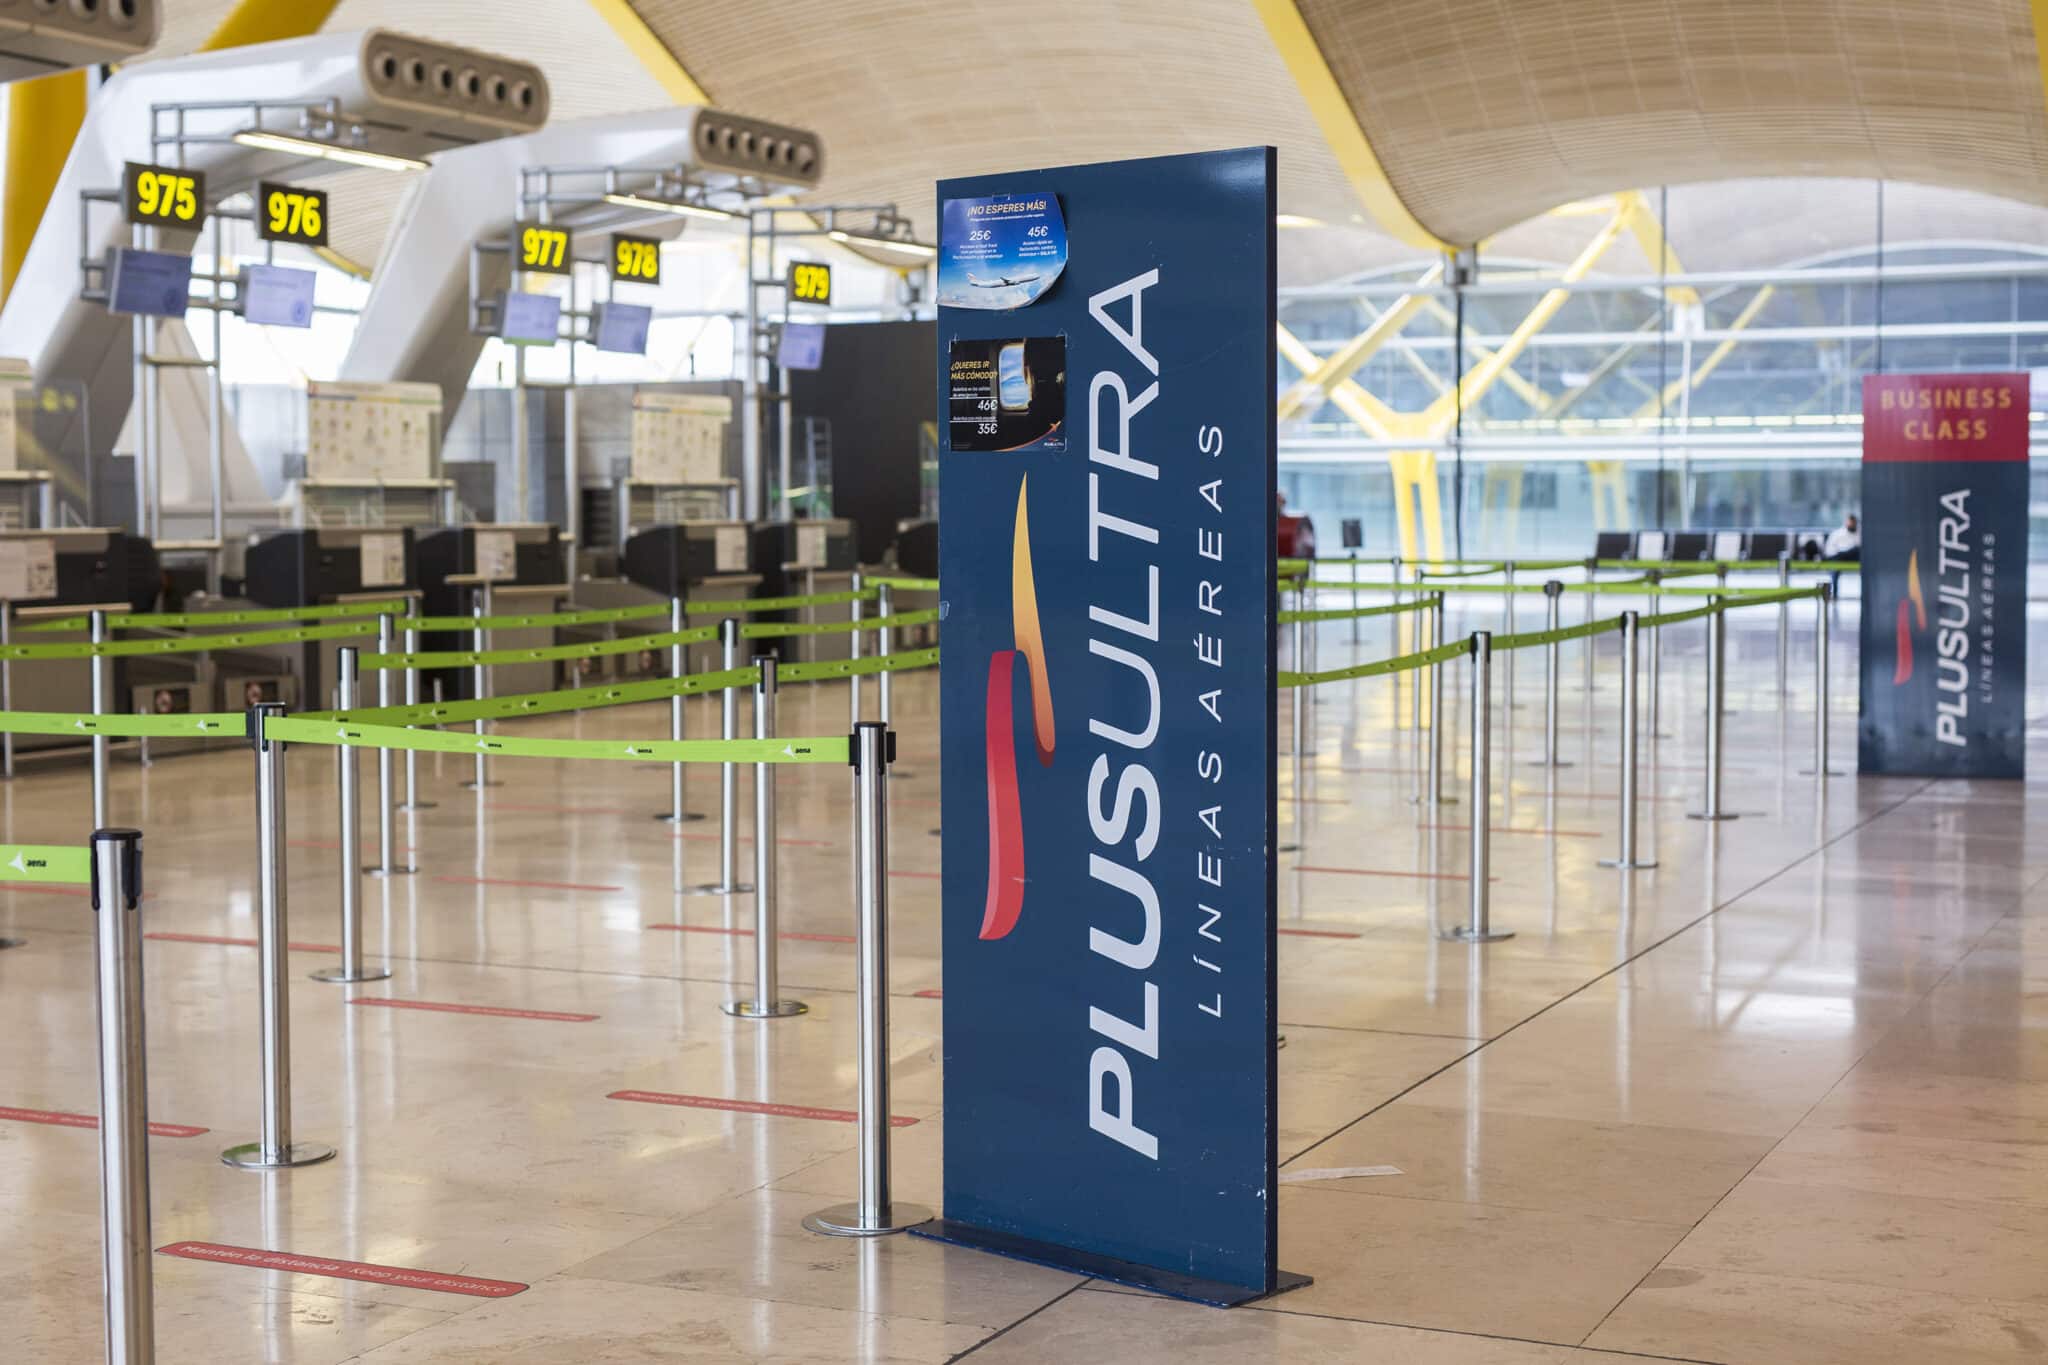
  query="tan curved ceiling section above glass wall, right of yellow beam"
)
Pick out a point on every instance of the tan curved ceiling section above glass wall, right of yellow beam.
point(1492, 112)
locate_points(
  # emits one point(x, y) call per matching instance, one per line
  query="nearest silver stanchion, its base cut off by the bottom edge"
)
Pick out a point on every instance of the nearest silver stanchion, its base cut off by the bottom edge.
point(124, 1098)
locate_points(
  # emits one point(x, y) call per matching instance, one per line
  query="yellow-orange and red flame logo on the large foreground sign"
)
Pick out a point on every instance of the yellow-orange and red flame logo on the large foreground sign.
point(1007, 807)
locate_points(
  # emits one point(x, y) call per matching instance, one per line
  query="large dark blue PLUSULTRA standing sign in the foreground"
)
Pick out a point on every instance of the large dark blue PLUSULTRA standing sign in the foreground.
point(1109, 734)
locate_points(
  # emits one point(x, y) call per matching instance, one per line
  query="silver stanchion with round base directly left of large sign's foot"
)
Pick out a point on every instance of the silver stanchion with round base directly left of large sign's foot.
point(876, 1213)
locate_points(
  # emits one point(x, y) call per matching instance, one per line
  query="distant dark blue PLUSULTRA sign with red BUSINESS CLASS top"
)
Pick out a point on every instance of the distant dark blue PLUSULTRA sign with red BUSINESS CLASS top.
point(1945, 631)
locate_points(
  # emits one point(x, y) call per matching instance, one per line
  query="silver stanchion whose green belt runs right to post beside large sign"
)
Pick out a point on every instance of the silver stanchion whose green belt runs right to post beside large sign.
point(273, 1147)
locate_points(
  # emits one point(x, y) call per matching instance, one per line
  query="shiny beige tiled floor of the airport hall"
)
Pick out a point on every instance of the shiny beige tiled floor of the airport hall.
point(1781, 1100)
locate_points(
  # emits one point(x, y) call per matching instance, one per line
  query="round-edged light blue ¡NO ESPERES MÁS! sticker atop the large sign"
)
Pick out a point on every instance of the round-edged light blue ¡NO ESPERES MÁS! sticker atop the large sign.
point(1000, 253)
